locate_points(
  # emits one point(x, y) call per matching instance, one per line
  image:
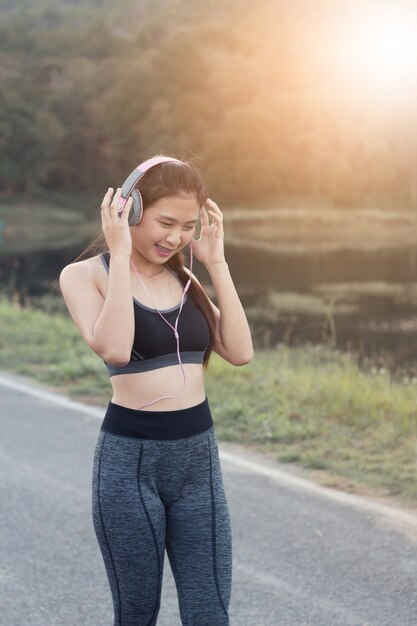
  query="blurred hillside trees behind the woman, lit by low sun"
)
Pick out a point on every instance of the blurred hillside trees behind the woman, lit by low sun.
point(88, 89)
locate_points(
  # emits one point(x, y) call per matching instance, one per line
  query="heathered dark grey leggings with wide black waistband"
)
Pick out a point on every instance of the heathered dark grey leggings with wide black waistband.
point(150, 494)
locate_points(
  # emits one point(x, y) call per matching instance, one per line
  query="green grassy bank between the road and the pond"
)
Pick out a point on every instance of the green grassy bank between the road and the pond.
point(311, 405)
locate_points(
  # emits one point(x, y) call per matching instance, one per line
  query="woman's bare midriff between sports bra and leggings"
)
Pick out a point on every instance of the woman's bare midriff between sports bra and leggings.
point(135, 390)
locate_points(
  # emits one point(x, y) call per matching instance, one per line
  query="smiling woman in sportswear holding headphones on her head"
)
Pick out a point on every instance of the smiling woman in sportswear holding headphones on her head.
point(157, 480)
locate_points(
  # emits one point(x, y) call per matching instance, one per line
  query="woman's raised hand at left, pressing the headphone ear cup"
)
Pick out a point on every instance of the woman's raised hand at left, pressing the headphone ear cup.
point(115, 228)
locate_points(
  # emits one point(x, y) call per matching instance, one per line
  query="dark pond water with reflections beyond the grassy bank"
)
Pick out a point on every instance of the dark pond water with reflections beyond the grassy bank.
point(361, 300)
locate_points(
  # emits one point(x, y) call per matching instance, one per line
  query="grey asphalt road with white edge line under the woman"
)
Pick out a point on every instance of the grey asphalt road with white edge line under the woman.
point(300, 558)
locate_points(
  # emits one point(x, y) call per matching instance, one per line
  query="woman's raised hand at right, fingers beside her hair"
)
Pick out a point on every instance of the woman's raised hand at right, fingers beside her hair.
point(209, 248)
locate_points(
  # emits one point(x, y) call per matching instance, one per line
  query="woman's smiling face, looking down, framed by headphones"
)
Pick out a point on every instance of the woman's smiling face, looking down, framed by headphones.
point(166, 227)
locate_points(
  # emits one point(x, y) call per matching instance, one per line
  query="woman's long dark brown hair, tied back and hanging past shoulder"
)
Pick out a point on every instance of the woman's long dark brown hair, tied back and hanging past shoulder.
point(162, 181)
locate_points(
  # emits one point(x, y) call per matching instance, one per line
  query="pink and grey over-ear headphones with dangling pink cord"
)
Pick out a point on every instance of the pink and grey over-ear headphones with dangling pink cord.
point(135, 216)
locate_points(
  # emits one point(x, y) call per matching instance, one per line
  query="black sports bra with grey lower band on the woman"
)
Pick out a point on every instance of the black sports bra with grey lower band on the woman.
point(154, 343)
